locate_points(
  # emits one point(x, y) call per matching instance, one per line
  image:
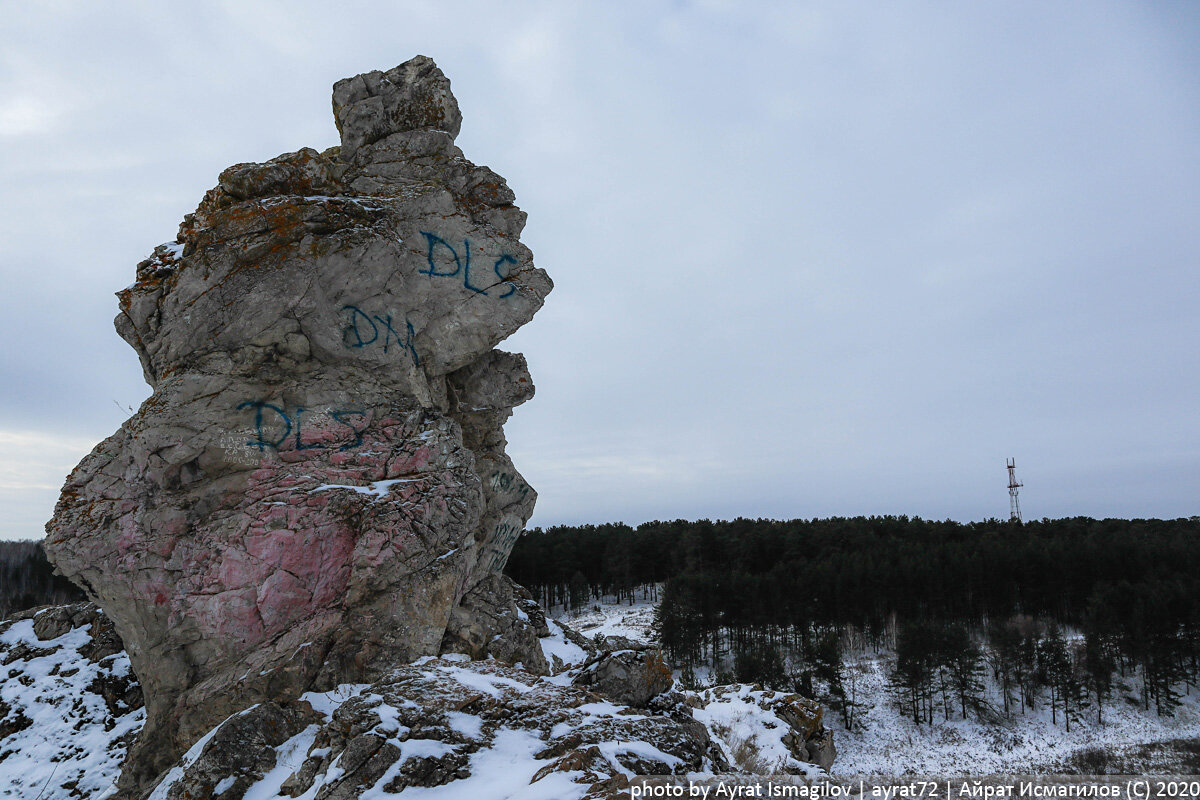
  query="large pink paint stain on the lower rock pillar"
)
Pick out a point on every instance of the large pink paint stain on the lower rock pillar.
point(296, 555)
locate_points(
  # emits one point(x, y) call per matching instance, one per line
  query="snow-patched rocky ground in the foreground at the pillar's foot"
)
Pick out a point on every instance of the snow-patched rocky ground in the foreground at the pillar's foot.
point(491, 749)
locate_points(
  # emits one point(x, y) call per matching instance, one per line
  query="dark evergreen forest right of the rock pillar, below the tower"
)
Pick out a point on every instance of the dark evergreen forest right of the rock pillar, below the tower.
point(1055, 611)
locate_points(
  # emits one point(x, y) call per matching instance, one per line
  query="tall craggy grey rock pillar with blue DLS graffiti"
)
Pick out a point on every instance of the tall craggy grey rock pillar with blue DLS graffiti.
point(320, 477)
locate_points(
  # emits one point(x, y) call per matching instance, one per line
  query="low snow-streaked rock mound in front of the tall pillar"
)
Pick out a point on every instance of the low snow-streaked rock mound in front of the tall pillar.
point(457, 724)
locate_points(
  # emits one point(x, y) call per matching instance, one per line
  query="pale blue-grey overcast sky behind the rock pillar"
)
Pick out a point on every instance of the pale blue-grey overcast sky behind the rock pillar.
point(811, 260)
